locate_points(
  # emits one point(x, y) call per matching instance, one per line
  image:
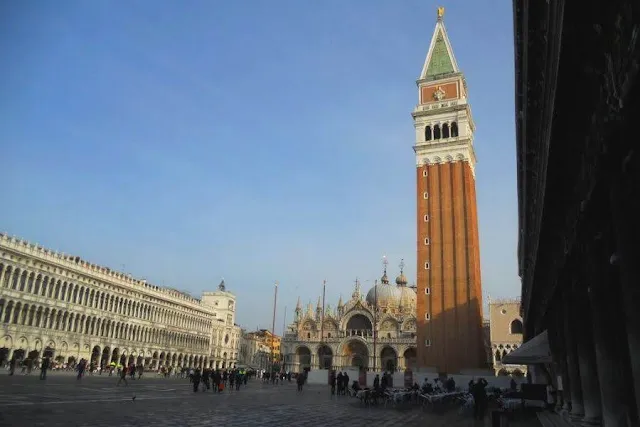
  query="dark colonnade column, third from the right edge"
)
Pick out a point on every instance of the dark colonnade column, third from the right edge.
point(586, 352)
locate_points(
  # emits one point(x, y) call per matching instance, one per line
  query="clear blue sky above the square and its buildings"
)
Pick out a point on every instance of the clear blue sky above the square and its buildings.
point(254, 140)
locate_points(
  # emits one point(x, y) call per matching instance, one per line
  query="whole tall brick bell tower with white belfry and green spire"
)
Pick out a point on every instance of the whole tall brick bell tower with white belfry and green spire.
point(449, 310)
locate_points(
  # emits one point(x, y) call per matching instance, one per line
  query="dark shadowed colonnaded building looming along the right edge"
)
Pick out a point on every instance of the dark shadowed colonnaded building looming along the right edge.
point(577, 93)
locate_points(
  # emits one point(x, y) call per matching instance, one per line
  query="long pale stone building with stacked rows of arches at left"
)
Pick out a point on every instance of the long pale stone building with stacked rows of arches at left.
point(63, 307)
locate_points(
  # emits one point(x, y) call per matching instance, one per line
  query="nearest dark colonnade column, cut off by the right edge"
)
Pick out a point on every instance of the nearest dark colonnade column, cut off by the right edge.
point(625, 209)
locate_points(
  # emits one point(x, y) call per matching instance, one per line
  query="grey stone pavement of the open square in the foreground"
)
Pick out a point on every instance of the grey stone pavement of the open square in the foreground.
point(95, 401)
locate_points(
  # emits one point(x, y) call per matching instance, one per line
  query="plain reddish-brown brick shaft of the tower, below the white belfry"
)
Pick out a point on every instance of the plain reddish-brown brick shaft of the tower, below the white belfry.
point(453, 277)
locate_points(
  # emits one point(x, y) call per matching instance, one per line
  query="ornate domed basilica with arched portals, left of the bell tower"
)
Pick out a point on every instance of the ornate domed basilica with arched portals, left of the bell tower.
point(372, 333)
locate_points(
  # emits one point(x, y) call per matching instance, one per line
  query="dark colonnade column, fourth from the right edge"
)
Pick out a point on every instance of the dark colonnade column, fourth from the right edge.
point(577, 406)
